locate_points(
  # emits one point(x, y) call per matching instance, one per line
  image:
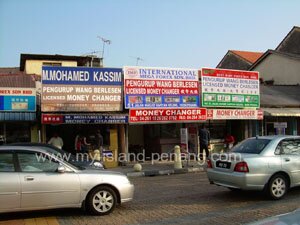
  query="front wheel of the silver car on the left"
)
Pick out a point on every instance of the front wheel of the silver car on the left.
point(101, 201)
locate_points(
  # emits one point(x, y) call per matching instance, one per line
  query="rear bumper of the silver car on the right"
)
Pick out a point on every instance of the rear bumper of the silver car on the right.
point(245, 181)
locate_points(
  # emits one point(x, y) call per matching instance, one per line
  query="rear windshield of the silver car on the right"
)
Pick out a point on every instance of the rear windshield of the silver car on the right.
point(252, 146)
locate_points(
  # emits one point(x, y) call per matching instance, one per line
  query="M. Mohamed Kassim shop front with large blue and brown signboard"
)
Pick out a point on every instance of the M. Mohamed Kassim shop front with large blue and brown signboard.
point(84, 103)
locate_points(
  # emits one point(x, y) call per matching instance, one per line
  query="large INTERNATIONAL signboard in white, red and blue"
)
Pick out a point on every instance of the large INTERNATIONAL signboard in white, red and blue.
point(153, 87)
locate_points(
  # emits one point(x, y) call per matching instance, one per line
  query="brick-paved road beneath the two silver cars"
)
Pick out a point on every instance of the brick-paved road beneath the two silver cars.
point(176, 199)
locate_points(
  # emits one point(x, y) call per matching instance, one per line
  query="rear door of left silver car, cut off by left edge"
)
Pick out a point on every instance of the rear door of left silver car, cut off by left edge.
point(10, 191)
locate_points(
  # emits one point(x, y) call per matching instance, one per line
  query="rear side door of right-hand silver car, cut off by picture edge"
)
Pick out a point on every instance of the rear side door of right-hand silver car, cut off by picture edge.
point(290, 158)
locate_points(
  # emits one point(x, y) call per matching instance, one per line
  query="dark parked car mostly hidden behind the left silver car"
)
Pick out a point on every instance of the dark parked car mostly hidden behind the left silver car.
point(51, 149)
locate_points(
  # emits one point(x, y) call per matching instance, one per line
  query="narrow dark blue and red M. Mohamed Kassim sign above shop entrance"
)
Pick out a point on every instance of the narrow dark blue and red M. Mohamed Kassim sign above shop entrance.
point(83, 119)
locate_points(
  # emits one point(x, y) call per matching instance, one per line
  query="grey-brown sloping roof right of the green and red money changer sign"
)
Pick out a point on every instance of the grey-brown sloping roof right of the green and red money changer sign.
point(280, 96)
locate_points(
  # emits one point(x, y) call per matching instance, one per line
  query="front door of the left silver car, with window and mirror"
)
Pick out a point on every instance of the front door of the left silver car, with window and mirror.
point(42, 185)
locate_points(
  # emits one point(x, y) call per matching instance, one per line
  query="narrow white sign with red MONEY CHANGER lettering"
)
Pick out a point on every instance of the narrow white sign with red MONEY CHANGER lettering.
point(234, 114)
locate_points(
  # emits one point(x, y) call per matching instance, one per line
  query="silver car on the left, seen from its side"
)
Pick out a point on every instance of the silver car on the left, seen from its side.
point(34, 179)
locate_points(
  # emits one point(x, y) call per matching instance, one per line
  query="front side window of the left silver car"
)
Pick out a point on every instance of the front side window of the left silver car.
point(35, 162)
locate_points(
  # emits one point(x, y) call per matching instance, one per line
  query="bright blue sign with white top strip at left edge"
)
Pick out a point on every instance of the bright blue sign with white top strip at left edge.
point(17, 99)
